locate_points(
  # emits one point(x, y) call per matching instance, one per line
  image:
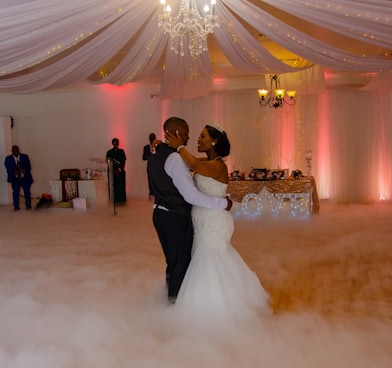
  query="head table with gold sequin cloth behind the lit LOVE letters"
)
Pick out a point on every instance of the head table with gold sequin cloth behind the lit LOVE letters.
point(277, 191)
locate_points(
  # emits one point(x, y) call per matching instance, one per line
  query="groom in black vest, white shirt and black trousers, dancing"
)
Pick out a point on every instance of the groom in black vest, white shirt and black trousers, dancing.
point(175, 193)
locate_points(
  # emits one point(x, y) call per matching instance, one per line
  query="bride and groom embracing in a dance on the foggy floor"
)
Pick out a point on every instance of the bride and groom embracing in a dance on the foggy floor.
point(206, 277)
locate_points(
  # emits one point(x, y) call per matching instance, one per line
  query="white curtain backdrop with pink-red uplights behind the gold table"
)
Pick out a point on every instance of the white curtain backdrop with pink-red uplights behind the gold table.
point(348, 131)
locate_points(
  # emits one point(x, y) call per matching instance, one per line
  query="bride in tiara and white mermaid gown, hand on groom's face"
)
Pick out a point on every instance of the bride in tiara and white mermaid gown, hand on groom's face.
point(218, 287)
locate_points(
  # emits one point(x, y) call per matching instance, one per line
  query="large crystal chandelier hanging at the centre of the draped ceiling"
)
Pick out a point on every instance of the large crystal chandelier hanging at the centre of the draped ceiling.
point(189, 26)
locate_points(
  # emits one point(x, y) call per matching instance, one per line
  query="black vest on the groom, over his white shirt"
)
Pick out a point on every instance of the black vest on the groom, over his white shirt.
point(165, 192)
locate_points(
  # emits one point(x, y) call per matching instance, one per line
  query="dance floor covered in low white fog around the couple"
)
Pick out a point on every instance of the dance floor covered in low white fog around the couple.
point(85, 288)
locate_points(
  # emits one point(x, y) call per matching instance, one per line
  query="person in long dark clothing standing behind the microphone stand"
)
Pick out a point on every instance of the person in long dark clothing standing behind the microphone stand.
point(117, 158)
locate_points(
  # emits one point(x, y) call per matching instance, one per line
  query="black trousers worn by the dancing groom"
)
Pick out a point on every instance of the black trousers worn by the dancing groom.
point(175, 232)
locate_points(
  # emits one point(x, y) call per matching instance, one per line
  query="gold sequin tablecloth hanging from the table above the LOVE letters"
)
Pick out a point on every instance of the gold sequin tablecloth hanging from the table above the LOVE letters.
point(238, 189)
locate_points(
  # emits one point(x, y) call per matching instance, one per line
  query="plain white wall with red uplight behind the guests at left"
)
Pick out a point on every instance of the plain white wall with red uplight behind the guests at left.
point(63, 129)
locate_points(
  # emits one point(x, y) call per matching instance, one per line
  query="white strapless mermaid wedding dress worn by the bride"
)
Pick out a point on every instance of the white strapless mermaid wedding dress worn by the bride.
point(219, 289)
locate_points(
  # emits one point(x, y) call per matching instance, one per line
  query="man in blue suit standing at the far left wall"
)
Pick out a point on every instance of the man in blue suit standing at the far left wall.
point(19, 175)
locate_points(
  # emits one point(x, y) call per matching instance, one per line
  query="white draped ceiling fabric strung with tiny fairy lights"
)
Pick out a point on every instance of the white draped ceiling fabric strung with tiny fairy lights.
point(49, 44)
